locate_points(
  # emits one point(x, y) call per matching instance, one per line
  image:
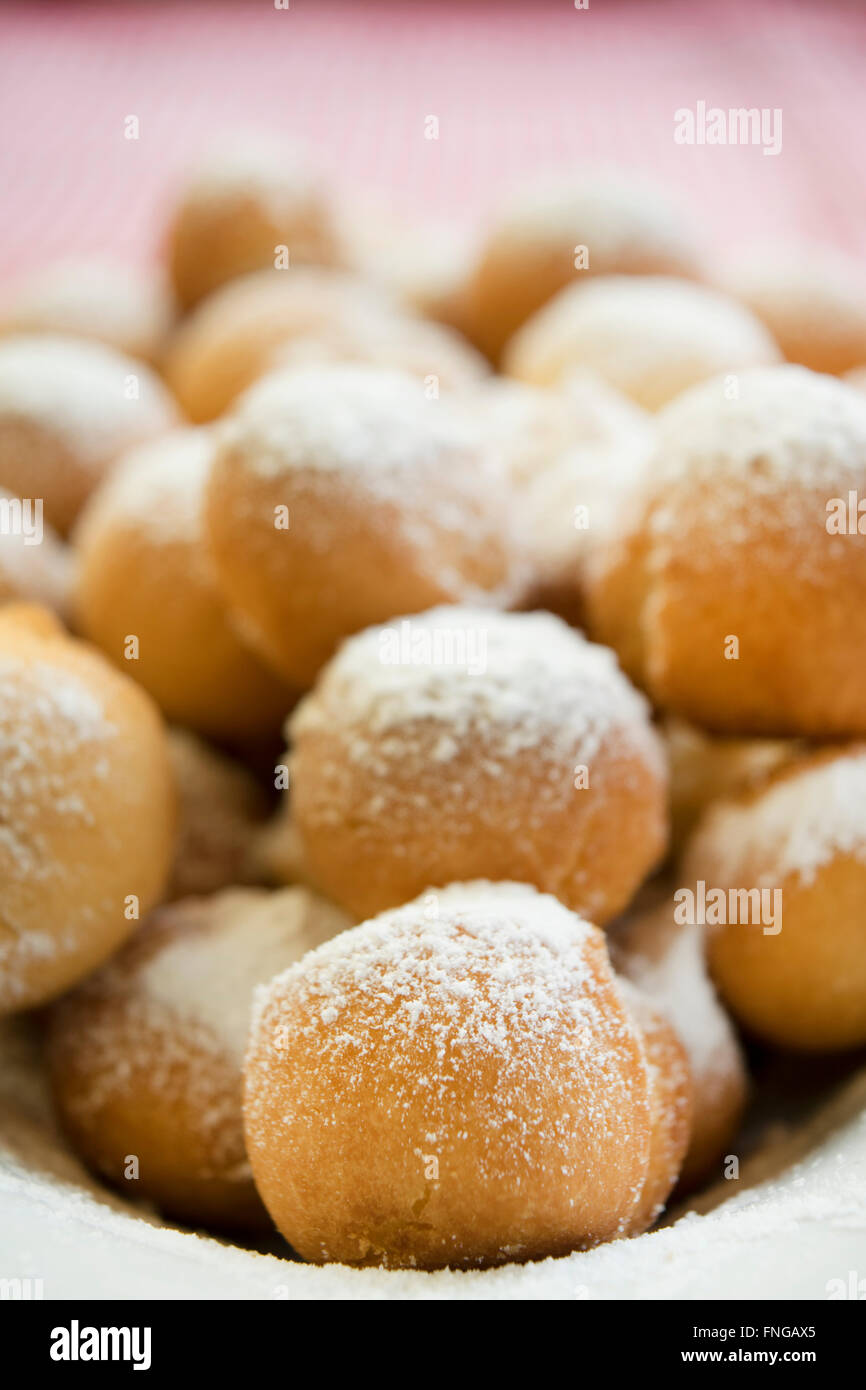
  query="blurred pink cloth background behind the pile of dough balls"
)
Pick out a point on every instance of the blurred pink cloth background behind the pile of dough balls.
point(515, 87)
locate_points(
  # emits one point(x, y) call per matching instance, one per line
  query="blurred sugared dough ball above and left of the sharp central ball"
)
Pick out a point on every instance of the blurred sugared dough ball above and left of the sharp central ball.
point(341, 496)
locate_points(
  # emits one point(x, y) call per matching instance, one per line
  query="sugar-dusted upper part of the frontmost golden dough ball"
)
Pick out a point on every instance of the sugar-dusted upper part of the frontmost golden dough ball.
point(496, 972)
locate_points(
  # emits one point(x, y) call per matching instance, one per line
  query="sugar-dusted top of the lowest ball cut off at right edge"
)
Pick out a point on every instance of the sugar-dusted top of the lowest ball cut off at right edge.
point(811, 814)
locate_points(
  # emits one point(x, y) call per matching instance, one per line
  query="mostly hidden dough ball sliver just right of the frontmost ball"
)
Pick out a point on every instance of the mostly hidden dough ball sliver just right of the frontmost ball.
point(667, 963)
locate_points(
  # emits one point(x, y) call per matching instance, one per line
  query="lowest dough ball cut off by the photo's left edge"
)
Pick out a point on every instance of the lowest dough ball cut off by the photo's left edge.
point(87, 808)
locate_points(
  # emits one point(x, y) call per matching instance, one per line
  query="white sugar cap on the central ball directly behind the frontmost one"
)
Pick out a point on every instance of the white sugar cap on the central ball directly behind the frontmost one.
point(420, 687)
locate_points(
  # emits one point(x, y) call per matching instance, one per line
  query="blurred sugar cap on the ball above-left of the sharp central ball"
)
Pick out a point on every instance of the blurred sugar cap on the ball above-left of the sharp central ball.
point(412, 462)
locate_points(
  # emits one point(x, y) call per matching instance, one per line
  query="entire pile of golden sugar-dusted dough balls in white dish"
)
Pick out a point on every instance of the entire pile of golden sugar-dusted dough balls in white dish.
point(382, 612)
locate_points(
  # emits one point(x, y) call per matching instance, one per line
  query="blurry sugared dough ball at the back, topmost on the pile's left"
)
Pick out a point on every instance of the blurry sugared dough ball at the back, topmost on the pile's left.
point(238, 209)
